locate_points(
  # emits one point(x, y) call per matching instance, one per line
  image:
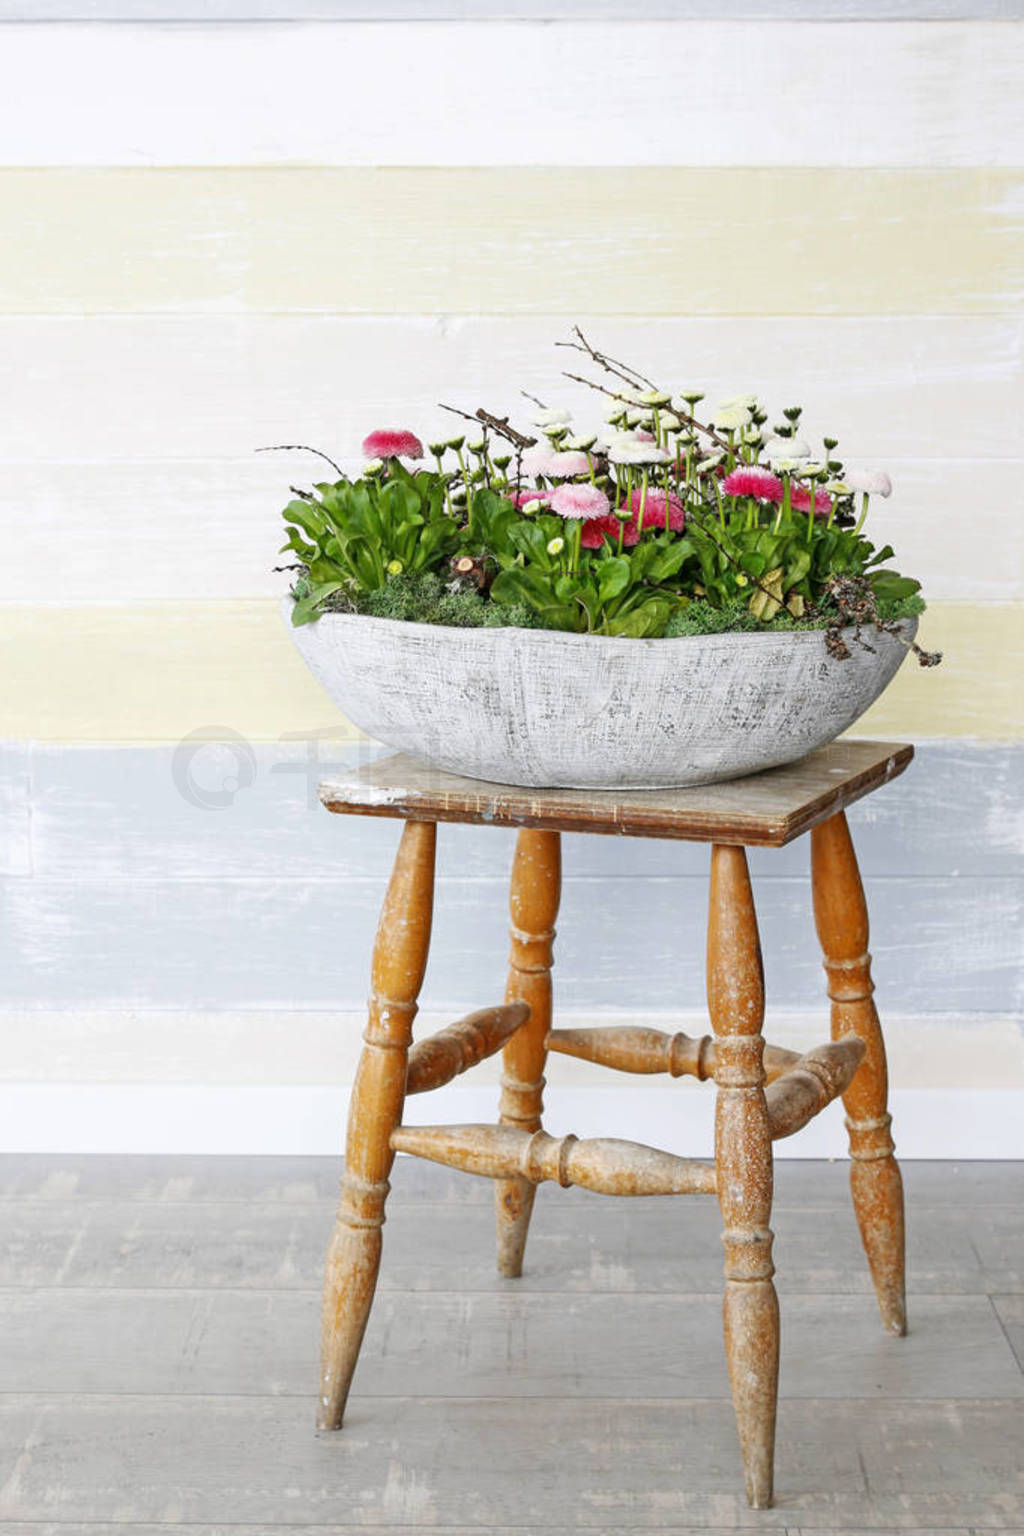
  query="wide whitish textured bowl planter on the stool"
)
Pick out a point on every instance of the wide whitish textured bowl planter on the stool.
point(538, 707)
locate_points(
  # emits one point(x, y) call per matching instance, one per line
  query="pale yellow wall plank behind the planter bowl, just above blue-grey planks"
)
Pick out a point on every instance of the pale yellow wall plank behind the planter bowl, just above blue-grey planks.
point(160, 672)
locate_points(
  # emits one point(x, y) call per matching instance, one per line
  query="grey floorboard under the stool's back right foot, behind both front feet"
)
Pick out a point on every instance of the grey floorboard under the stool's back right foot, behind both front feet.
point(480, 1346)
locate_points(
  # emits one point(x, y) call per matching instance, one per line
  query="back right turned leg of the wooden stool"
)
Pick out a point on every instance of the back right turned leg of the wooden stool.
point(841, 915)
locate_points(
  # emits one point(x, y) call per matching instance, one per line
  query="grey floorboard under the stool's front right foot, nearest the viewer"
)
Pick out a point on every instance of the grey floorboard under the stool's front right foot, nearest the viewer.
point(467, 1462)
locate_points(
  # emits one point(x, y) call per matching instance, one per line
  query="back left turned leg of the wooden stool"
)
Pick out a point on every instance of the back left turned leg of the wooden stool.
point(537, 887)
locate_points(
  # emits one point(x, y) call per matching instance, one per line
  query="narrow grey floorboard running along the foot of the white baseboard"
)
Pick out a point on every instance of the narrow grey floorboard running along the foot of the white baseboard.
point(314, 1180)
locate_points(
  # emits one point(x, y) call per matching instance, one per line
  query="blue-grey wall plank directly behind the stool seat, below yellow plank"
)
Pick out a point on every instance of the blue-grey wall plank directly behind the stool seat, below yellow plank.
point(131, 812)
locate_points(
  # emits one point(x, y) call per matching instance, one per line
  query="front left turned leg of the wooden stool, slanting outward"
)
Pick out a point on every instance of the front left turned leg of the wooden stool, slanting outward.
point(354, 1257)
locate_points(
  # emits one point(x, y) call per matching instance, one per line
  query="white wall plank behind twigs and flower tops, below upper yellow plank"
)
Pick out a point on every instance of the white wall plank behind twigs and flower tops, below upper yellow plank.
point(206, 388)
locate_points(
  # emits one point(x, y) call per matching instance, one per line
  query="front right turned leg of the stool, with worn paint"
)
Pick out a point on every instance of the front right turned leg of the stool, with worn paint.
point(744, 1159)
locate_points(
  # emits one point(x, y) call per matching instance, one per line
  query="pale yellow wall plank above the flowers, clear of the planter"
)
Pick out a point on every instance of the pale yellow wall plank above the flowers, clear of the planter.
point(514, 240)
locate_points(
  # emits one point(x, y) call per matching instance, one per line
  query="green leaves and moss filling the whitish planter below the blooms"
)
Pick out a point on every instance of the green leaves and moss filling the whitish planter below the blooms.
point(386, 546)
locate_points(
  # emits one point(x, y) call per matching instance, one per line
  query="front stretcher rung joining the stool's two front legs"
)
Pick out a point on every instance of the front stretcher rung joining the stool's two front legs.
point(603, 1165)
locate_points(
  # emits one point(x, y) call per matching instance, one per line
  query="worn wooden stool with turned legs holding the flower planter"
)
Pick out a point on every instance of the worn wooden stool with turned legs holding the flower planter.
point(762, 1091)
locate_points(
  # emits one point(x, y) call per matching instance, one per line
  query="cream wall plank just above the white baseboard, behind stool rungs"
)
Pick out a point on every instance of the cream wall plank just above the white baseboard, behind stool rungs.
point(296, 1048)
